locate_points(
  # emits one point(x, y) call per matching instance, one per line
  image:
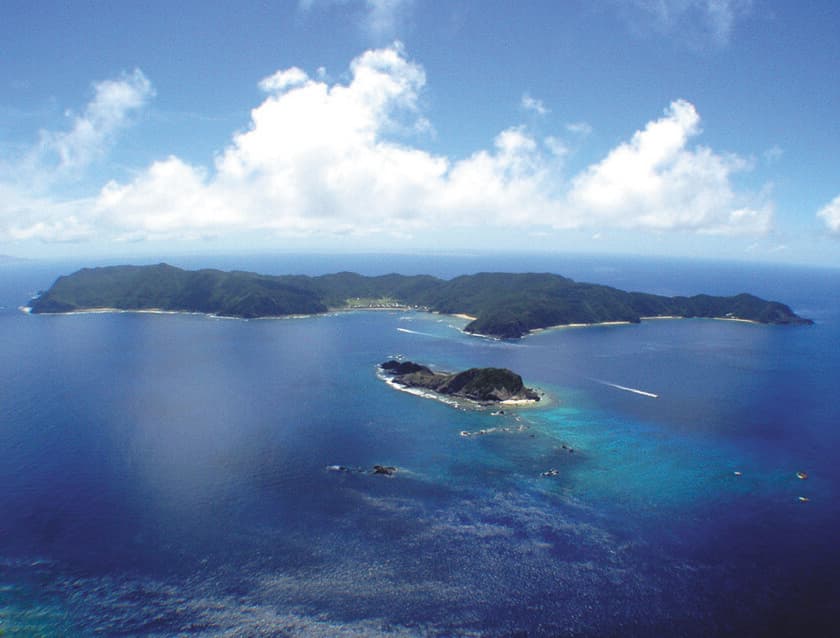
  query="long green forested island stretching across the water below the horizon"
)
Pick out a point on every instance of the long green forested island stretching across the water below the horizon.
point(501, 305)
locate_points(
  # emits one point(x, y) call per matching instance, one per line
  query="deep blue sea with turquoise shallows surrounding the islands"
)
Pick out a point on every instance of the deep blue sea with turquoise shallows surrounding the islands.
point(166, 475)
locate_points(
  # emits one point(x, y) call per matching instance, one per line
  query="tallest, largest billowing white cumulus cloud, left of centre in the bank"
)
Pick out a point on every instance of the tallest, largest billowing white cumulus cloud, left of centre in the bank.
point(314, 160)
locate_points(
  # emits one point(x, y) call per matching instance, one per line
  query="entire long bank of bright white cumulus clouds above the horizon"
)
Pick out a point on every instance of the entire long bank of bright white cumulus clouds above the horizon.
point(322, 158)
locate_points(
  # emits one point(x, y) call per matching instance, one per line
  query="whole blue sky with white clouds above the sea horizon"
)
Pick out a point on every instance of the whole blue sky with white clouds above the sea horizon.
point(691, 128)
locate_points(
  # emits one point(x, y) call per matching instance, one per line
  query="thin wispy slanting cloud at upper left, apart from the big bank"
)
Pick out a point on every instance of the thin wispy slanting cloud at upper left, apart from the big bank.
point(93, 131)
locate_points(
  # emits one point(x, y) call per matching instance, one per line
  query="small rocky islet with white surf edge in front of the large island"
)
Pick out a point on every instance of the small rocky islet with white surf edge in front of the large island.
point(482, 385)
